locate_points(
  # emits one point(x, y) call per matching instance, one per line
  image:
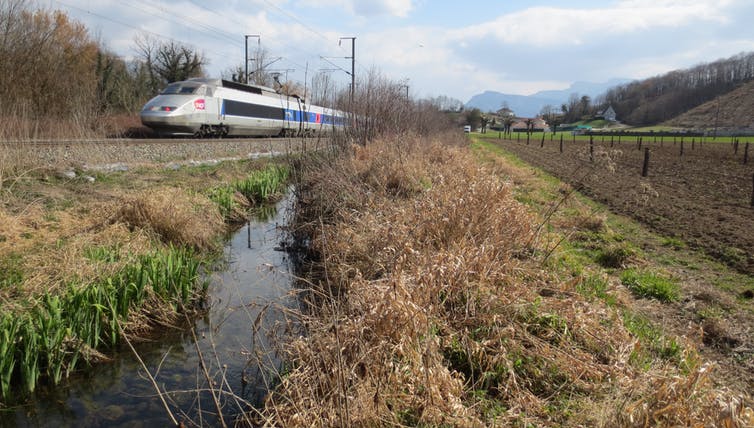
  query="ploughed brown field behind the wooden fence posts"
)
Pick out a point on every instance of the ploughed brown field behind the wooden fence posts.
point(702, 196)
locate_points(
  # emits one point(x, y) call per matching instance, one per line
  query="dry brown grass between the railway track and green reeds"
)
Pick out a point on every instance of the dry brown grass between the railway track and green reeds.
point(51, 228)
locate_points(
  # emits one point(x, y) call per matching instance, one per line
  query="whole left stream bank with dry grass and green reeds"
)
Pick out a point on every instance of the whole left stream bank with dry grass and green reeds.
point(84, 263)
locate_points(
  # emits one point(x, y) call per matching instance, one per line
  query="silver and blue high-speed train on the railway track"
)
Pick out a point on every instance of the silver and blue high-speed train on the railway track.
point(204, 107)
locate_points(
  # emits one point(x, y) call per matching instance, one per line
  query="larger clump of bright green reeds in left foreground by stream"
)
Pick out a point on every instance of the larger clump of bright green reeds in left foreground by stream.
point(50, 337)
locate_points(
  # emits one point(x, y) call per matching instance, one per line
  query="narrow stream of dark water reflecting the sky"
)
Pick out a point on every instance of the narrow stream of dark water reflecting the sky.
point(247, 302)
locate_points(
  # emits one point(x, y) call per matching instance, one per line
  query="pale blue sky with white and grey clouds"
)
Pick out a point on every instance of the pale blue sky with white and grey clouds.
point(456, 48)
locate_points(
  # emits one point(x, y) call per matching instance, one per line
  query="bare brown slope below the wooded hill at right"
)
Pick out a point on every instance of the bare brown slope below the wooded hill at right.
point(730, 112)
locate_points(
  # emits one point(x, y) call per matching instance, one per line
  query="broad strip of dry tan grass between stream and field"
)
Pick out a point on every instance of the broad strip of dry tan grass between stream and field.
point(427, 309)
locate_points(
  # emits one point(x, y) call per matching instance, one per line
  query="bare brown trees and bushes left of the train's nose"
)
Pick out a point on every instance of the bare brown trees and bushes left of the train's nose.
point(54, 71)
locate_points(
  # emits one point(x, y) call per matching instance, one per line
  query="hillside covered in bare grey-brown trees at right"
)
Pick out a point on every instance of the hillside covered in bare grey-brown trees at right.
point(661, 98)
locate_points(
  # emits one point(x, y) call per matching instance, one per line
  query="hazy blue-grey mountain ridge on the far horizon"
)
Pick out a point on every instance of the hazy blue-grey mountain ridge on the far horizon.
point(531, 105)
